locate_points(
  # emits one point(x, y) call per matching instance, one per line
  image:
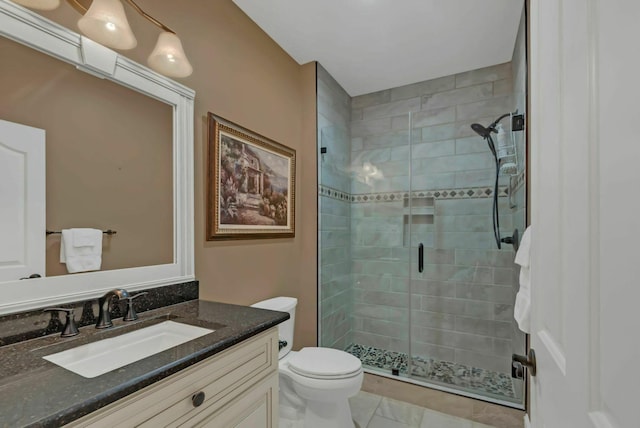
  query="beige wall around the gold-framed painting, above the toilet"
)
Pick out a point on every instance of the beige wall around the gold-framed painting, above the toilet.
point(242, 75)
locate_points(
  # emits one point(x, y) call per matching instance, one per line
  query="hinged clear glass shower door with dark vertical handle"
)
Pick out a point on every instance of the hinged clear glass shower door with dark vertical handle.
point(462, 286)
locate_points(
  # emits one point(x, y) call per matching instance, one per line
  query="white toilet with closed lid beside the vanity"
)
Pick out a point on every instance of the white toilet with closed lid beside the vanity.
point(315, 383)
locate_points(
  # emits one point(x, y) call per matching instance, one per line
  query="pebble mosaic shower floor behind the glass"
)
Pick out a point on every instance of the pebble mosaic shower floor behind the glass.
point(444, 372)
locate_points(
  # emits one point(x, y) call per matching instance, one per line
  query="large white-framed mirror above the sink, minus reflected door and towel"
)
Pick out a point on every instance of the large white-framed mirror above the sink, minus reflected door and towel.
point(119, 141)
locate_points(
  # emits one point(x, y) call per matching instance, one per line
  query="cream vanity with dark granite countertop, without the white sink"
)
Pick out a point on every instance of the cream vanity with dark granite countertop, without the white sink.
point(226, 378)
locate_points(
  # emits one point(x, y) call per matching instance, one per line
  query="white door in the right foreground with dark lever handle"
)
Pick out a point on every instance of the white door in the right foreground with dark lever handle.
point(585, 185)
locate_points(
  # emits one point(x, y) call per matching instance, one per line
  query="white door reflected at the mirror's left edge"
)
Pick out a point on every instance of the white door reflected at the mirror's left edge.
point(22, 196)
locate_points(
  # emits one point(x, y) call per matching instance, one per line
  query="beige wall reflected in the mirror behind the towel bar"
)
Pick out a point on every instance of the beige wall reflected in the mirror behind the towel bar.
point(108, 162)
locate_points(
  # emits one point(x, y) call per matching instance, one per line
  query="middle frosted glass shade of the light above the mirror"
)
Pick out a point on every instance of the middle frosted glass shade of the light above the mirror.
point(105, 22)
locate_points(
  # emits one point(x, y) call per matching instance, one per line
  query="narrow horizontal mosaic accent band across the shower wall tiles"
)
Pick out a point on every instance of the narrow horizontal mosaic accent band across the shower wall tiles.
point(464, 193)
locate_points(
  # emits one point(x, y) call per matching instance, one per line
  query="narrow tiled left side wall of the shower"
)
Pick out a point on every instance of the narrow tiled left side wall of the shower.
point(336, 292)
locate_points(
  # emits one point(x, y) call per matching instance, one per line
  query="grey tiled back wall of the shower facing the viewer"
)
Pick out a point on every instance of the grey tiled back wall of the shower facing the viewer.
point(462, 302)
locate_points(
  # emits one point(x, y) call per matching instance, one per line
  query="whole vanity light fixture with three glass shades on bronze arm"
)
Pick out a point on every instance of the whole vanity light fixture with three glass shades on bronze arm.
point(105, 22)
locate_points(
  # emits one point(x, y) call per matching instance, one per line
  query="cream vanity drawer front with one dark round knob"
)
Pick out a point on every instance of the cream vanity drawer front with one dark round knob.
point(221, 378)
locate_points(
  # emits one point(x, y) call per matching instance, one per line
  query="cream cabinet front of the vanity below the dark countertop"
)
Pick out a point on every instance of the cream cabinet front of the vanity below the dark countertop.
point(236, 388)
